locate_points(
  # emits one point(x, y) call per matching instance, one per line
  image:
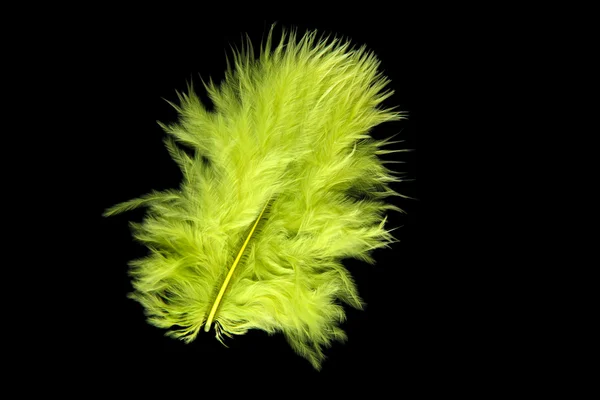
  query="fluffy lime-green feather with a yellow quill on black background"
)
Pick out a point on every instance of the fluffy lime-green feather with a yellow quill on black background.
point(283, 184)
